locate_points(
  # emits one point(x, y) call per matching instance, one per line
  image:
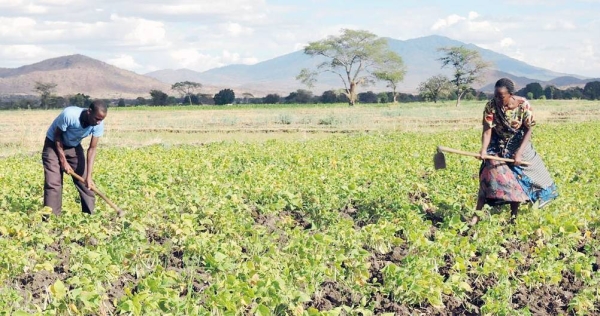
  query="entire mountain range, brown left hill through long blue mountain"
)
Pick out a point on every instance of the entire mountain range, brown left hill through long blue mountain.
point(81, 74)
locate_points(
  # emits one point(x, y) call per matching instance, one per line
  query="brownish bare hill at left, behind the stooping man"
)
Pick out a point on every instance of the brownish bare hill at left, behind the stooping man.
point(78, 74)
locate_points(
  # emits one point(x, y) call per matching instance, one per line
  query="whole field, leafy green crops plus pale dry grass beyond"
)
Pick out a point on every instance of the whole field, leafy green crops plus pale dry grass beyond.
point(265, 217)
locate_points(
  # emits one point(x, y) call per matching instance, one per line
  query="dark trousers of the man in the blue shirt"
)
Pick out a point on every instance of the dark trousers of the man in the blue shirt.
point(53, 177)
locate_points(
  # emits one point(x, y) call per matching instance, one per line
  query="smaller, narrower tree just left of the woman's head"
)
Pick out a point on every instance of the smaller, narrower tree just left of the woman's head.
point(468, 67)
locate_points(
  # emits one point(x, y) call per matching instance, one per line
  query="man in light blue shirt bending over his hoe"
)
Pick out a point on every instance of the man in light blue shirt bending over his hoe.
point(63, 153)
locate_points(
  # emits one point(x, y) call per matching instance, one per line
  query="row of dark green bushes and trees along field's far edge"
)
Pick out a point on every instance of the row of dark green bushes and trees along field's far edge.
point(436, 89)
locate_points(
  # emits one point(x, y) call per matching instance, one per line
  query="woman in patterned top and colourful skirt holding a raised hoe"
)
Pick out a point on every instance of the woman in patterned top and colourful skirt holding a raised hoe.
point(507, 126)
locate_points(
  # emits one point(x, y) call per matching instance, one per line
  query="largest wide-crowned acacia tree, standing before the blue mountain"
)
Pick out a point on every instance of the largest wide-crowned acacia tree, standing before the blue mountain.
point(352, 56)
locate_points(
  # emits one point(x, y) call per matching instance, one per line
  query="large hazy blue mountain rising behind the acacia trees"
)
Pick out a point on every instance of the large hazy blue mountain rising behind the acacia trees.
point(420, 57)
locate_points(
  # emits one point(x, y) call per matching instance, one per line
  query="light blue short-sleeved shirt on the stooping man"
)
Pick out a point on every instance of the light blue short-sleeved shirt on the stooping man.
point(69, 124)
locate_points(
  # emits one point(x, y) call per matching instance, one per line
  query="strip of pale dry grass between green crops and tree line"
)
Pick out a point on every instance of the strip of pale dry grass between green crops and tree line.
point(23, 130)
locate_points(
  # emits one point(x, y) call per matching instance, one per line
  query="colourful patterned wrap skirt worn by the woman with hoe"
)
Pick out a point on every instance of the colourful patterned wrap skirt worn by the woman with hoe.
point(501, 183)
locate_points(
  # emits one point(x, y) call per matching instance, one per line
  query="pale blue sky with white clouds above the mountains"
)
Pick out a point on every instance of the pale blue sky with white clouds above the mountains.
point(144, 36)
